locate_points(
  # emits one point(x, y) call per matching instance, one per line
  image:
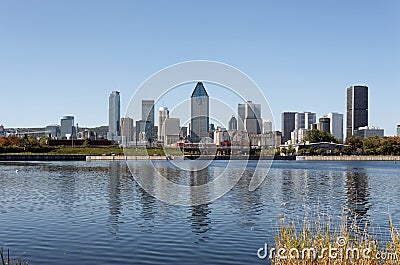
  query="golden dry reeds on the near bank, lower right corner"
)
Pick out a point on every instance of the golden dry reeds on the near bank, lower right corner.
point(348, 245)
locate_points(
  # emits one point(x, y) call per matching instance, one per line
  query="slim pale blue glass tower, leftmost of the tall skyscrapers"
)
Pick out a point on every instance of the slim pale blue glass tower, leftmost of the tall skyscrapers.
point(114, 115)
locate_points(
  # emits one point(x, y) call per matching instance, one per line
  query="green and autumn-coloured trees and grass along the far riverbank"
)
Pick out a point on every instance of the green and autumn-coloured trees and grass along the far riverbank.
point(353, 146)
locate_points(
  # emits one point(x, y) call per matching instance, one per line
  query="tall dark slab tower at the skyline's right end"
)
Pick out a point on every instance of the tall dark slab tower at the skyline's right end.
point(357, 109)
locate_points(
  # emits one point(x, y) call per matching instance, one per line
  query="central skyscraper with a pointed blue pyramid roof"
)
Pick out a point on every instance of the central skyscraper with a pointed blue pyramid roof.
point(200, 113)
